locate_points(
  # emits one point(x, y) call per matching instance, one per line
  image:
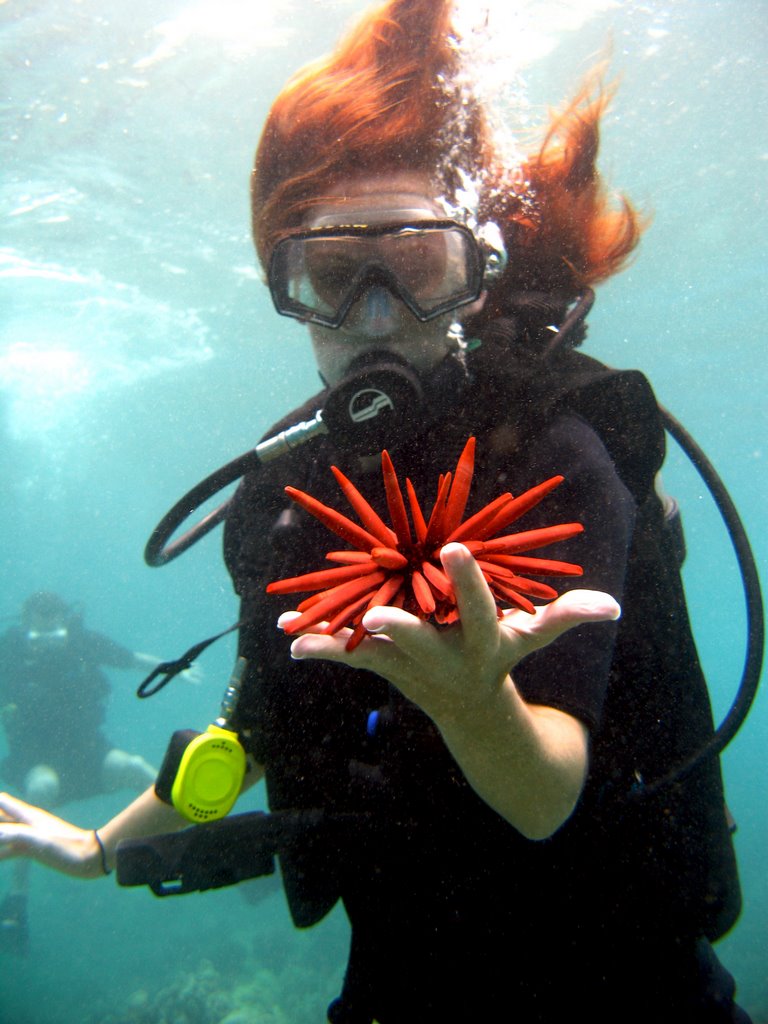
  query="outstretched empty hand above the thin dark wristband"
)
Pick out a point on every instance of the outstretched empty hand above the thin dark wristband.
point(30, 832)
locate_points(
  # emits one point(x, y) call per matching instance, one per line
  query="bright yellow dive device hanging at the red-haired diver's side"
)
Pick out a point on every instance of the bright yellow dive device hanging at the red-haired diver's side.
point(202, 774)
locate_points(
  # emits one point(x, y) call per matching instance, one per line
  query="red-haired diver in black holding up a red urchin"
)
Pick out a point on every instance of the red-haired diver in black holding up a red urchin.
point(487, 795)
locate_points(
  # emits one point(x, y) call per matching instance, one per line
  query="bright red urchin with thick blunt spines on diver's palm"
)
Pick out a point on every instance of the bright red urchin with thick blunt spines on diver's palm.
point(401, 566)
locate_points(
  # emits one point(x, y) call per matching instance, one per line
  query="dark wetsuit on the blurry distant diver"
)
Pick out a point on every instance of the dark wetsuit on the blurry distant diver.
point(55, 698)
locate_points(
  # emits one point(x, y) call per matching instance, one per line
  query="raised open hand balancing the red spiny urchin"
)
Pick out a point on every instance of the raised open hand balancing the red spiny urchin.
point(446, 671)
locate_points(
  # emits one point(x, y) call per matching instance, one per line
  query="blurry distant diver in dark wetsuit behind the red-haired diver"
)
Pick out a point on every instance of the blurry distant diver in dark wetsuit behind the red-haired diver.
point(53, 706)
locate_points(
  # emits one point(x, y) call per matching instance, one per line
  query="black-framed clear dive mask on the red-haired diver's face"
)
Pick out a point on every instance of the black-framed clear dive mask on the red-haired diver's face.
point(433, 266)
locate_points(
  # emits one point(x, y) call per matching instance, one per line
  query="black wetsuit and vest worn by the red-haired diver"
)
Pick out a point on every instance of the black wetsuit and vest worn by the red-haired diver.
point(455, 916)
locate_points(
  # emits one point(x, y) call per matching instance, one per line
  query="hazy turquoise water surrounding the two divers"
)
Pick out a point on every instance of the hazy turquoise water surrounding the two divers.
point(140, 352)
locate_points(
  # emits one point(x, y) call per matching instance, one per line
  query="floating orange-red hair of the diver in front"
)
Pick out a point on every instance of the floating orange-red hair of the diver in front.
point(391, 99)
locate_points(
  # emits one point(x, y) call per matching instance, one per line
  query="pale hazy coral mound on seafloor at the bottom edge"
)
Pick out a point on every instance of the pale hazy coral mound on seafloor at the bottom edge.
point(203, 997)
